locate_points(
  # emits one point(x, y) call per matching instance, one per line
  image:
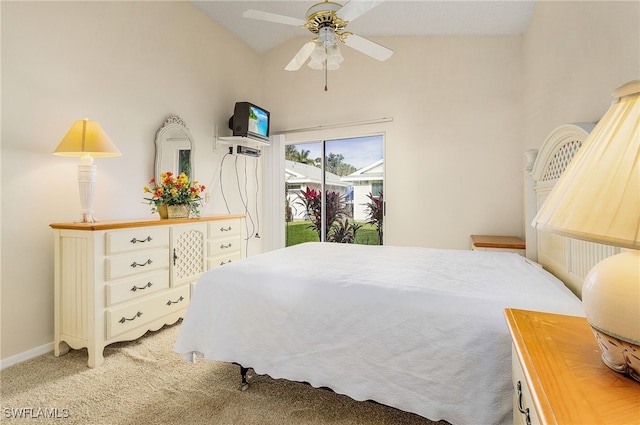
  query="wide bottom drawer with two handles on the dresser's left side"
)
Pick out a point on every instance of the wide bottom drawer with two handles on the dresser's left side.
point(132, 315)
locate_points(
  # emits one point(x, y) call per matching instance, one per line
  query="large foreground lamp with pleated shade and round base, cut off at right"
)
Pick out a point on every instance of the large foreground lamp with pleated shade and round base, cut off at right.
point(597, 199)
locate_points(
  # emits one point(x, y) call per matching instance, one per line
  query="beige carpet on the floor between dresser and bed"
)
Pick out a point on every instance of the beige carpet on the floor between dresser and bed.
point(145, 382)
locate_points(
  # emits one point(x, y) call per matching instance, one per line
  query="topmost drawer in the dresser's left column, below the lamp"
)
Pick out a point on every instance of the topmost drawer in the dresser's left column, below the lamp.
point(136, 239)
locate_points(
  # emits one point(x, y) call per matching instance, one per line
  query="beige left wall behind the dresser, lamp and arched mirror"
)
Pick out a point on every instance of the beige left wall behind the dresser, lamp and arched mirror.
point(127, 65)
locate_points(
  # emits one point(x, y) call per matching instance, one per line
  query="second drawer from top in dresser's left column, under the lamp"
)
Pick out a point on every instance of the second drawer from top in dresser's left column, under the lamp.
point(136, 262)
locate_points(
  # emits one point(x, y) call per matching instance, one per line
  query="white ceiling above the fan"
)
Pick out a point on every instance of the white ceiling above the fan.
point(393, 17)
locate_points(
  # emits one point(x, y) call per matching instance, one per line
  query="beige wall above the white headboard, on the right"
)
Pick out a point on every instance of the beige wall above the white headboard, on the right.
point(576, 53)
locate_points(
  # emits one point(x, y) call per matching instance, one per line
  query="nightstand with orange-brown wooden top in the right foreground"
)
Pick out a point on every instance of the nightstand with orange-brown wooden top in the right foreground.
point(558, 375)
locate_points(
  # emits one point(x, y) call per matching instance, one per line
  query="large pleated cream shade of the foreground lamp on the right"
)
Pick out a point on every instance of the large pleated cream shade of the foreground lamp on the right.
point(598, 196)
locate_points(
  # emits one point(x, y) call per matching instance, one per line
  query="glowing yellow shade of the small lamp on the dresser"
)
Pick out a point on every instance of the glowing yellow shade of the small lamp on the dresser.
point(86, 137)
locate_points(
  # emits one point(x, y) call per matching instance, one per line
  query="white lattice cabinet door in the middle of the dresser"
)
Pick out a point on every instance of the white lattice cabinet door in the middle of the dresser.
point(188, 253)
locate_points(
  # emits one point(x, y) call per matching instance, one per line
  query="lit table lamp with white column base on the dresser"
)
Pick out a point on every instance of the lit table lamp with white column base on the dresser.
point(87, 140)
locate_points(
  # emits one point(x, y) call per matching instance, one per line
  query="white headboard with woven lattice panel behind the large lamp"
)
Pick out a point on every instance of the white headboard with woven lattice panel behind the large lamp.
point(568, 259)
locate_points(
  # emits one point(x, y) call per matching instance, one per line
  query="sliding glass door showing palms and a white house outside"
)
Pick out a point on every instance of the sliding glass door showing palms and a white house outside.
point(334, 191)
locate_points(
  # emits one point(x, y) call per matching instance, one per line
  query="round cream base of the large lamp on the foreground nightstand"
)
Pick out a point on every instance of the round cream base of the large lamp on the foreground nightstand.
point(611, 299)
